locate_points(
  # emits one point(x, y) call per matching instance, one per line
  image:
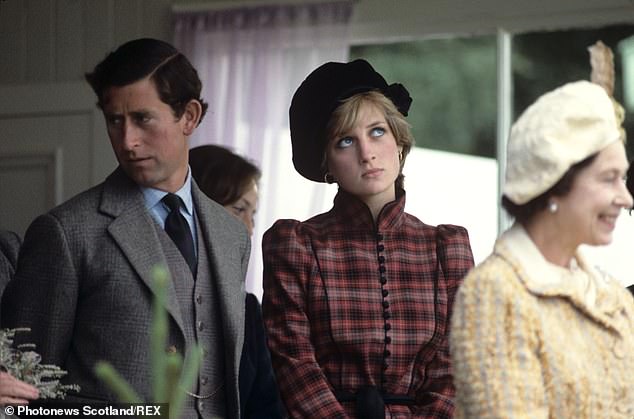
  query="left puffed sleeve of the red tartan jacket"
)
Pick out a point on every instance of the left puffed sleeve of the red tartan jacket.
point(289, 266)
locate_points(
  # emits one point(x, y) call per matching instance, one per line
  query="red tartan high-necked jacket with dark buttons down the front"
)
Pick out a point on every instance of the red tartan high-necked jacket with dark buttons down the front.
point(348, 303)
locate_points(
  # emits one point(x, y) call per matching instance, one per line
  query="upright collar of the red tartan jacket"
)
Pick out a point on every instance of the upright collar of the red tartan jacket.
point(355, 213)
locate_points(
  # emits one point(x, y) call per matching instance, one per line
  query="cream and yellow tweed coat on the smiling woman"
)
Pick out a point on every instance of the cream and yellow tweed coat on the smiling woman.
point(532, 340)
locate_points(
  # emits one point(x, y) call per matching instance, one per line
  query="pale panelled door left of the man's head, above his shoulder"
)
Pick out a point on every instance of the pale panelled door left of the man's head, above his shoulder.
point(53, 145)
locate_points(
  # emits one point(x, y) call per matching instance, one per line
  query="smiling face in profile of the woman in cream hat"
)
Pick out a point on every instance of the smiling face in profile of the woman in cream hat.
point(589, 211)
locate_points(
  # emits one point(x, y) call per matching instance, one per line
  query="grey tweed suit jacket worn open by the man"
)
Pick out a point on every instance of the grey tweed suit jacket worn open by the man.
point(83, 285)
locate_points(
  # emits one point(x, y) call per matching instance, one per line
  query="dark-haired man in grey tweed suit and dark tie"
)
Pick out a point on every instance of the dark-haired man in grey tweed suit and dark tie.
point(83, 282)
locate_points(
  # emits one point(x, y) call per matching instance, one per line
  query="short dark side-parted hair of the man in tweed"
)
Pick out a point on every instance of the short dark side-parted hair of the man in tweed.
point(176, 80)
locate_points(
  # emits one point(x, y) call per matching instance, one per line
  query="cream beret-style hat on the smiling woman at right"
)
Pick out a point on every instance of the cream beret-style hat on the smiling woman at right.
point(563, 127)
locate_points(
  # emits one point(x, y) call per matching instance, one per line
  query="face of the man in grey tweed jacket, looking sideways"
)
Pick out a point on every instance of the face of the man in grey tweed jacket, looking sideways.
point(149, 141)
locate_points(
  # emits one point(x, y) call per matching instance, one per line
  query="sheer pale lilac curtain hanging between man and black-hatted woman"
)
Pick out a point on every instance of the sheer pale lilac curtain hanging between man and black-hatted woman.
point(251, 60)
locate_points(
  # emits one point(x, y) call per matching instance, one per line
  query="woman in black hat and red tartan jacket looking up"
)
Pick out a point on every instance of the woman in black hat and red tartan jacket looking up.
point(357, 300)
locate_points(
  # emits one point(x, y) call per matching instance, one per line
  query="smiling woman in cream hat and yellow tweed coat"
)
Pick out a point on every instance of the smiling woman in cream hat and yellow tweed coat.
point(537, 330)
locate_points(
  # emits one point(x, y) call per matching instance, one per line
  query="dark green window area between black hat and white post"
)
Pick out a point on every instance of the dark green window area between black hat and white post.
point(453, 84)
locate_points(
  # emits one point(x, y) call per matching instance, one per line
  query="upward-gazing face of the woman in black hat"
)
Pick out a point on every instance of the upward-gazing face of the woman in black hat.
point(365, 160)
